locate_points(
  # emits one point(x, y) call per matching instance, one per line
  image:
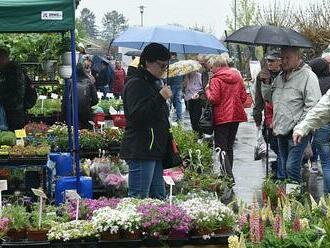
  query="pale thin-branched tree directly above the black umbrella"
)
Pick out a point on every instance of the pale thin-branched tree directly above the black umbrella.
point(277, 14)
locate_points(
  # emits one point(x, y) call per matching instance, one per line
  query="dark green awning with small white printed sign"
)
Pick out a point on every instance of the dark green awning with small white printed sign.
point(37, 15)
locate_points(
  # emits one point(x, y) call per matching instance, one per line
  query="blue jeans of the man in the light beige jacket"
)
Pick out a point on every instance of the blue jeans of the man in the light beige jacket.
point(291, 155)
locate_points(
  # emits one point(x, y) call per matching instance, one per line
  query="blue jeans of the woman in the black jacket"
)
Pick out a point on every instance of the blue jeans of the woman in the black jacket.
point(145, 179)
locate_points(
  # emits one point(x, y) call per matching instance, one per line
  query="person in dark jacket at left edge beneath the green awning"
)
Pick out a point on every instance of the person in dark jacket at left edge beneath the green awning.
point(13, 91)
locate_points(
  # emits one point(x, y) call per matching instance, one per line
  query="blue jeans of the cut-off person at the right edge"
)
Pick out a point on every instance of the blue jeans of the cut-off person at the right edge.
point(321, 139)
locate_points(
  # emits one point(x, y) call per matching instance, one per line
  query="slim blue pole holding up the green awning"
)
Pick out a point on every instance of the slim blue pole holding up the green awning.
point(75, 109)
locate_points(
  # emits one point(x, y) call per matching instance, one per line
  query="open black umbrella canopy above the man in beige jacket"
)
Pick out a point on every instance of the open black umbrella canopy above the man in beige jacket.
point(268, 35)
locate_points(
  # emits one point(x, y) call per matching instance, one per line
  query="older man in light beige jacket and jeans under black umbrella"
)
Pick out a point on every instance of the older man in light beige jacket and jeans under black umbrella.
point(293, 93)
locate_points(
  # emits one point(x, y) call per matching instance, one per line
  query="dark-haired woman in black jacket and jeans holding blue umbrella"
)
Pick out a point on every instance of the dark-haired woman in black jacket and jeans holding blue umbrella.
point(147, 132)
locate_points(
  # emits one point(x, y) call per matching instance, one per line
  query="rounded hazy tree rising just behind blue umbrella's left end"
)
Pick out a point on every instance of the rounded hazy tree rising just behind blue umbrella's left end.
point(113, 24)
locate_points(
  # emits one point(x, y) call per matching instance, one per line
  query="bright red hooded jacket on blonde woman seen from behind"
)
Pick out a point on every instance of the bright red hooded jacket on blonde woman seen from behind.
point(227, 94)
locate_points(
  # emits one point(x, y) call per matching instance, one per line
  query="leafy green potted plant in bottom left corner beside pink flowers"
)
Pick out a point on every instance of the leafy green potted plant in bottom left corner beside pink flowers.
point(18, 221)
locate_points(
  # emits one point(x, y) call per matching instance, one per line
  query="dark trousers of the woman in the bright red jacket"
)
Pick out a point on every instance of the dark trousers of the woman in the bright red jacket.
point(224, 137)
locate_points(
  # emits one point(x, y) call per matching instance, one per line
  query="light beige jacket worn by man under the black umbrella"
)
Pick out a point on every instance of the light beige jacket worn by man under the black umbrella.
point(292, 98)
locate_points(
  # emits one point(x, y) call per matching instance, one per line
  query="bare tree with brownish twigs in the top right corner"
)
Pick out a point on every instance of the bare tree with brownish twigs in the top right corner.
point(314, 23)
